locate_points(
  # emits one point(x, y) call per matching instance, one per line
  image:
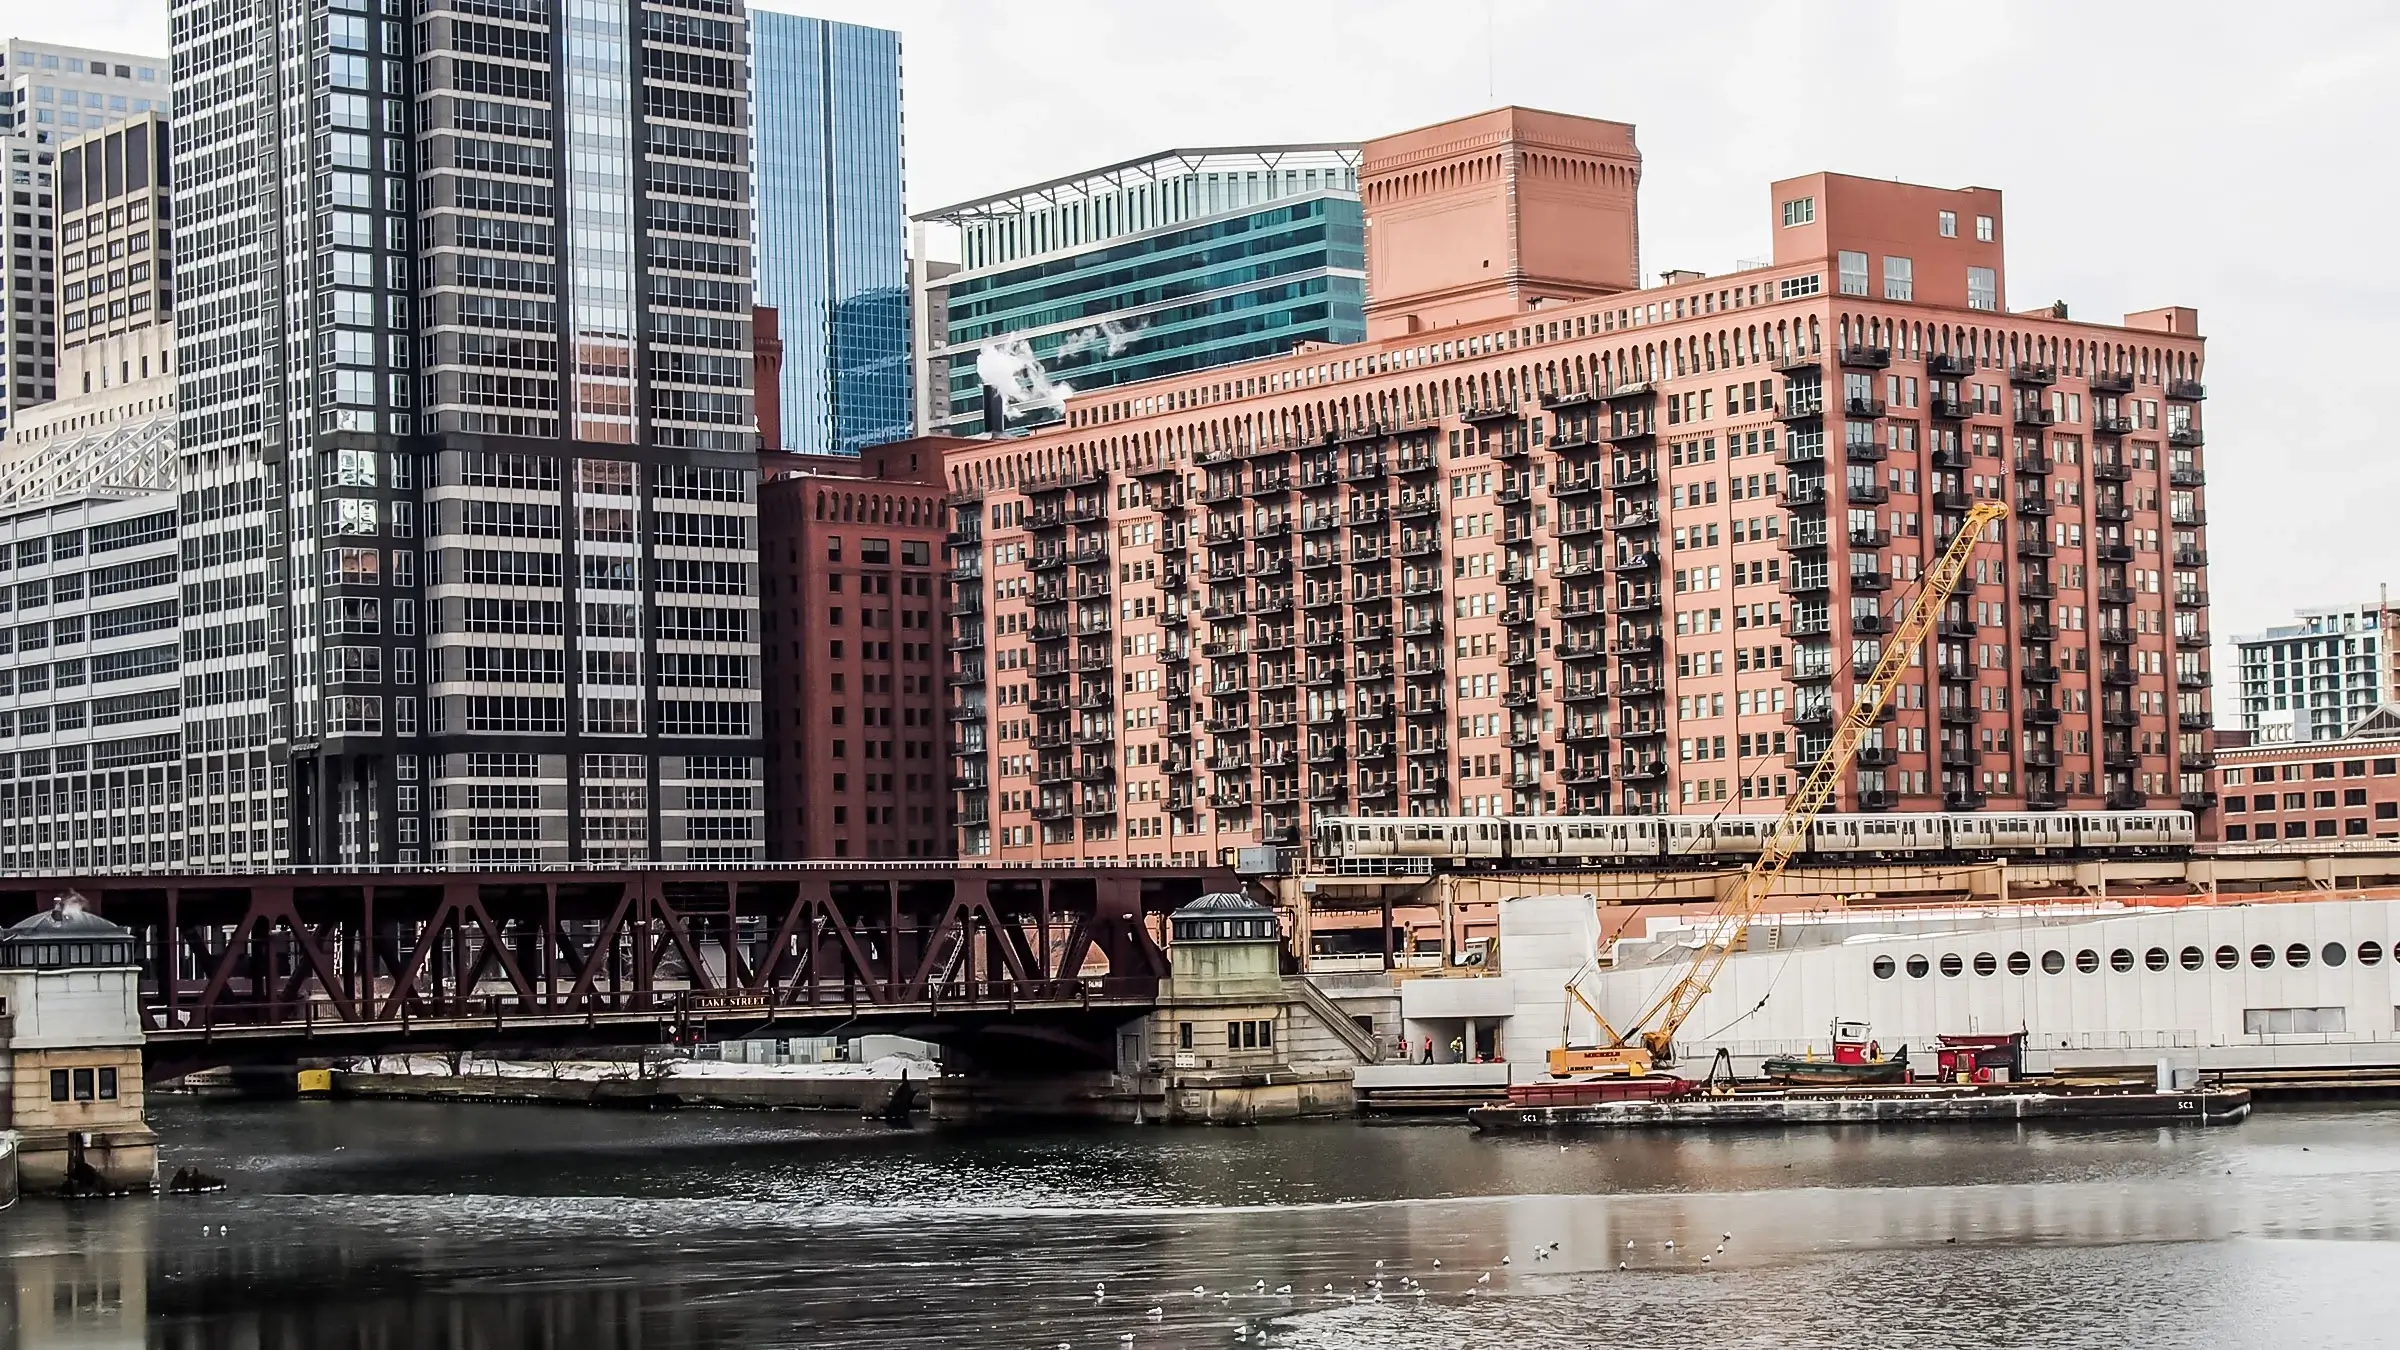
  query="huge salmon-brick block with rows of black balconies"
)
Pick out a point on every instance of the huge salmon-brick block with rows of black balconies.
point(1547, 542)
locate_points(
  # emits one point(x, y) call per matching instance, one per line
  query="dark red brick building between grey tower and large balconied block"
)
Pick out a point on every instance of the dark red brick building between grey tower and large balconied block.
point(856, 731)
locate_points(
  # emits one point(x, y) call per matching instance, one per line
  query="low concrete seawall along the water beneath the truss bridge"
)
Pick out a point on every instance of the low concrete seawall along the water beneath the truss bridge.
point(637, 1094)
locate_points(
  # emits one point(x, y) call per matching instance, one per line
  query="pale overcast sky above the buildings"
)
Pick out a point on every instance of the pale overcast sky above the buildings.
point(2209, 155)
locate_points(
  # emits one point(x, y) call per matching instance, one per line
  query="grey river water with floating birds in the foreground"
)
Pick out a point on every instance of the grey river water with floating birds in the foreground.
point(464, 1229)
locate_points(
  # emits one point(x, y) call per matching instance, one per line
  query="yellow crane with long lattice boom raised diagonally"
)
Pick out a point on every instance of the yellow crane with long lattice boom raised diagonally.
point(1650, 1039)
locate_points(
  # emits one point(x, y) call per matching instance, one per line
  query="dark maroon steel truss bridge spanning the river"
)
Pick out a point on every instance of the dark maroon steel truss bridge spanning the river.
point(1002, 962)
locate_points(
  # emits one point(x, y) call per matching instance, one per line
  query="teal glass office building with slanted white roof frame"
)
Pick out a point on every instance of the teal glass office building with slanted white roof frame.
point(1153, 268)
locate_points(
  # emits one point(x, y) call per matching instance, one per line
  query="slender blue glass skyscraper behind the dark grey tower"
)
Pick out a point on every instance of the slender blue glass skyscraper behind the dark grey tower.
point(832, 229)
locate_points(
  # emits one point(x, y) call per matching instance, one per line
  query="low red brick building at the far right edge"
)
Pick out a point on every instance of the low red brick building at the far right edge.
point(2327, 789)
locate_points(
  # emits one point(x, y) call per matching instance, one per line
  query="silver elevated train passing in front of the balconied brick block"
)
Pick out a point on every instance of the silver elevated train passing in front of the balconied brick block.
point(1710, 842)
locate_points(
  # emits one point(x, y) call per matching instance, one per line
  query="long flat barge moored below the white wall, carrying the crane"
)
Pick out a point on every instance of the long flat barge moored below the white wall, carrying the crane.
point(1895, 1106)
